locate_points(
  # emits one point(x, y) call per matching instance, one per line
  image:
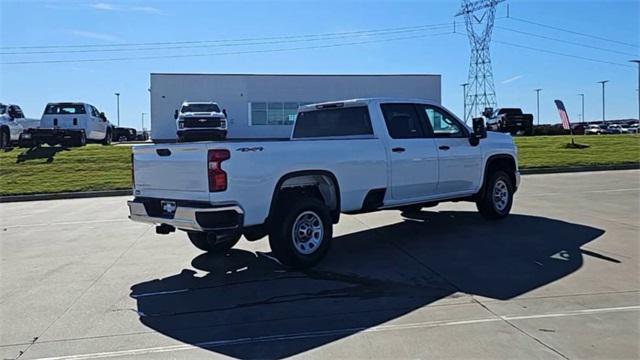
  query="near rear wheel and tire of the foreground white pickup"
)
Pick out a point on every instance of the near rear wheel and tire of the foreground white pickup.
point(309, 215)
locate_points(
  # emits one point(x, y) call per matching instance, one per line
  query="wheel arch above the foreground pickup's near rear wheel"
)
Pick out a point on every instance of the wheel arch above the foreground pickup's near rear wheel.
point(324, 181)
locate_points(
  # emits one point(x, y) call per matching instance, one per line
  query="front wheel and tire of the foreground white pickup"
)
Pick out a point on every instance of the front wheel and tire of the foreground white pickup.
point(497, 196)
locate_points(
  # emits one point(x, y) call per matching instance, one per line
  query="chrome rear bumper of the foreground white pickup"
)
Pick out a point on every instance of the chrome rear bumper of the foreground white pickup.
point(188, 216)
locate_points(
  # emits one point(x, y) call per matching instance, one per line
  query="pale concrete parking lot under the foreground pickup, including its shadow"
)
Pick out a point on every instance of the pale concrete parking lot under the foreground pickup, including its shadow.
point(558, 279)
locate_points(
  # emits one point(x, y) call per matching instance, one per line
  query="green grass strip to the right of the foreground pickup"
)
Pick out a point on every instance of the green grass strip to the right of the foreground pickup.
point(550, 151)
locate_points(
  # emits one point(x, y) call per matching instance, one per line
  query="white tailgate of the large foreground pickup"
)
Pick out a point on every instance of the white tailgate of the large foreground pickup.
point(171, 171)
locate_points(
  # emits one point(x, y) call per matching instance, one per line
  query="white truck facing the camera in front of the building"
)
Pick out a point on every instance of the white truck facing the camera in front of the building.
point(200, 121)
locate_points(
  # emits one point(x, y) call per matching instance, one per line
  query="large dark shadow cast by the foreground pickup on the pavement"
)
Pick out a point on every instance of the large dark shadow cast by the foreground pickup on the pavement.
point(246, 305)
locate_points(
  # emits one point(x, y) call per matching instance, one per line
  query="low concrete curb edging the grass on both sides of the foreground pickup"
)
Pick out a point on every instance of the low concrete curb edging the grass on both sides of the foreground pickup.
point(92, 194)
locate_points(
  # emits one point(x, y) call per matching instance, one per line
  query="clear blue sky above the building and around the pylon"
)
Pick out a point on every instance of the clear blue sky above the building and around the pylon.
point(517, 71)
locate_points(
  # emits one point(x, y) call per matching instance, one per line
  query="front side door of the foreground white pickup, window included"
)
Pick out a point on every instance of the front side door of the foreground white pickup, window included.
point(459, 163)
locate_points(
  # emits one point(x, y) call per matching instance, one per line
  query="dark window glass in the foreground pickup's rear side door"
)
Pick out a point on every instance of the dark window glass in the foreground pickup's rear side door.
point(402, 121)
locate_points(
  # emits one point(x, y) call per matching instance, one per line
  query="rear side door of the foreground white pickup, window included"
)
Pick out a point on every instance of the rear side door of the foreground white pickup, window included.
point(412, 154)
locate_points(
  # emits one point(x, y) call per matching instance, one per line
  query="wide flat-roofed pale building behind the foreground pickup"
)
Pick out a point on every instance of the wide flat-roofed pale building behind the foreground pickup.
point(265, 105)
